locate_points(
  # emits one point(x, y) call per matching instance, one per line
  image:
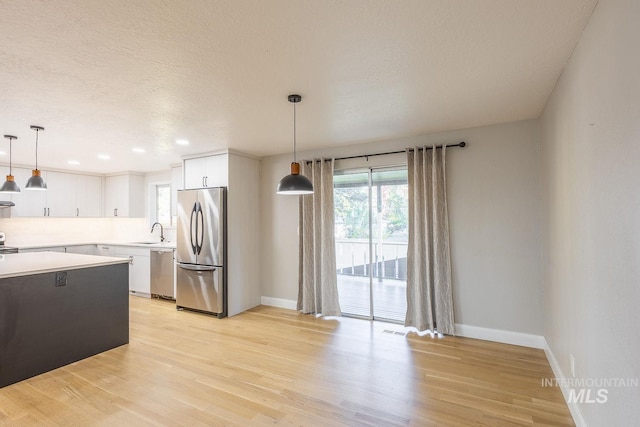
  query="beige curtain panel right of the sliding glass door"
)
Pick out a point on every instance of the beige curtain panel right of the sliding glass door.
point(429, 298)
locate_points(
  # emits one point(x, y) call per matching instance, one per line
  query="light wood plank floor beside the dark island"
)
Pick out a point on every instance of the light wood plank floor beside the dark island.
point(275, 366)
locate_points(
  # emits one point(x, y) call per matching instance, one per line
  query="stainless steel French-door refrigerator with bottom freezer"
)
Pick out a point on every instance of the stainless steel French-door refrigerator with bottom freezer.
point(201, 251)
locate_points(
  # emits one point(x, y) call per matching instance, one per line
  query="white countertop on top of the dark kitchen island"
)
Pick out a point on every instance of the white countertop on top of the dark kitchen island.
point(25, 264)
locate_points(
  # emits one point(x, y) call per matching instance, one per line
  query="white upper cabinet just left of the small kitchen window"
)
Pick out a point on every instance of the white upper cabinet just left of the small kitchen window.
point(124, 196)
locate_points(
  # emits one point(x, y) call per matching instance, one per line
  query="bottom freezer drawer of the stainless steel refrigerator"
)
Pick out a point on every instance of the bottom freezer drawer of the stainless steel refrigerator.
point(201, 288)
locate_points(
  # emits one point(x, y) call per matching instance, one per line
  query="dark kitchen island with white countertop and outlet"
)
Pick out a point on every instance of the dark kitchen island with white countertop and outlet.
point(58, 308)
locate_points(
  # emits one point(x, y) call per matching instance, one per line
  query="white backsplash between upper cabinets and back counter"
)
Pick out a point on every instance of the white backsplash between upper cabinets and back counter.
point(35, 231)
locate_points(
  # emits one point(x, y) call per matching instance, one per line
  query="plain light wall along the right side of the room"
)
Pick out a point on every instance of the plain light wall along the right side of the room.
point(590, 132)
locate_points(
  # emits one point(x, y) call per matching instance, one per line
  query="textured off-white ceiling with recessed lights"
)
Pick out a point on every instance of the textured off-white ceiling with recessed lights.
point(104, 77)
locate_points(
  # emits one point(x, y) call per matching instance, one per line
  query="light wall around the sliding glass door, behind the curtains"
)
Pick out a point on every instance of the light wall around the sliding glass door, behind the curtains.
point(493, 191)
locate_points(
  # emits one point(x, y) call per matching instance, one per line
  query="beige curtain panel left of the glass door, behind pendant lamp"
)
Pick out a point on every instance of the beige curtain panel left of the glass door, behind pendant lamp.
point(317, 281)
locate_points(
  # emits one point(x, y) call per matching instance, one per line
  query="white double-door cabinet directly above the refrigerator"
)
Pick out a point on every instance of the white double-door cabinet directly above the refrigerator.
point(208, 171)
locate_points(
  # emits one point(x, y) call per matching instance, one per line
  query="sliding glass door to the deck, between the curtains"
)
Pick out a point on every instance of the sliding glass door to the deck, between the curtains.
point(371, 242)
